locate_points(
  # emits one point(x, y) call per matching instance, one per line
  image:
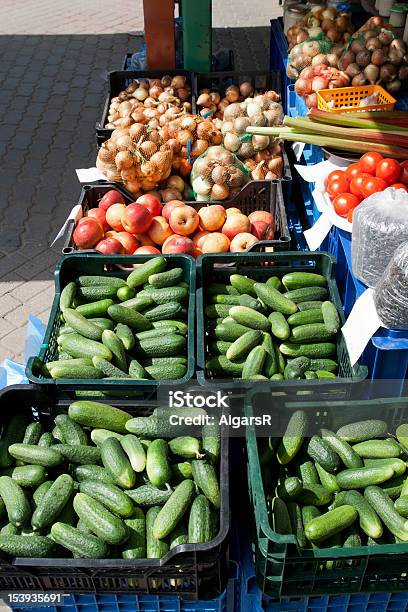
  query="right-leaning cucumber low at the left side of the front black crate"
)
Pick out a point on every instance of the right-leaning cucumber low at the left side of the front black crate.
point(53, 502)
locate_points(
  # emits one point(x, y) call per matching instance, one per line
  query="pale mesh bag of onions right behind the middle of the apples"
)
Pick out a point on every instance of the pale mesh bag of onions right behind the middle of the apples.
point(217, 175)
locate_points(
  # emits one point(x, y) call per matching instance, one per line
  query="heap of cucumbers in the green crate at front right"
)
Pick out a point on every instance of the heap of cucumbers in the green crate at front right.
point(343, 489)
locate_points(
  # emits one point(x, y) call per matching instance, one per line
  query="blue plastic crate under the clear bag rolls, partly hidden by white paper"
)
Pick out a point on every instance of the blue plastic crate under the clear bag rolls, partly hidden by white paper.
point(386, 355)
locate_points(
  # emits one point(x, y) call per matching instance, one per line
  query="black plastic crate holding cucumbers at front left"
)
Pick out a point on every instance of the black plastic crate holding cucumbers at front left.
point(192, 571)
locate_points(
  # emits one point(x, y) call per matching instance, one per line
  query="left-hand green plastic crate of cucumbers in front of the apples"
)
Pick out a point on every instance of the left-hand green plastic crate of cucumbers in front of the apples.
point(69, 268)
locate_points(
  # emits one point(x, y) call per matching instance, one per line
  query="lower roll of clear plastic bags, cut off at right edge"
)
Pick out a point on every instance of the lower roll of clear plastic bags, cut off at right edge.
point(391, 293)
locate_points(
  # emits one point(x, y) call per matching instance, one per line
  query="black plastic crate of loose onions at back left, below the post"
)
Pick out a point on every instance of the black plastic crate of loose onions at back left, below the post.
point(119, 80)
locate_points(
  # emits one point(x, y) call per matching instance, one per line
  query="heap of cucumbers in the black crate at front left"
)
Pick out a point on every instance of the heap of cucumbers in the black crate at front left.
point(103, 484)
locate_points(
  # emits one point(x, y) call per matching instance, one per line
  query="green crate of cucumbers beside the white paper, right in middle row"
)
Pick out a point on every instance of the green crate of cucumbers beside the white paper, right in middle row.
point(218, 267)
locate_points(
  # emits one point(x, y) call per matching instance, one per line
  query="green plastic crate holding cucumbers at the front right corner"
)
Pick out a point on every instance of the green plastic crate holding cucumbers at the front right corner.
point(282, 568)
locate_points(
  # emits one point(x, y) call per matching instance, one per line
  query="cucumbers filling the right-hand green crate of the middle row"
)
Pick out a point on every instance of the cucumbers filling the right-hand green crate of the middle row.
point(281, 329)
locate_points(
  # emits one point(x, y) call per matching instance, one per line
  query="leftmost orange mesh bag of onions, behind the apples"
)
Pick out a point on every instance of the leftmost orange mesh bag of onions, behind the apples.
point(136, 156)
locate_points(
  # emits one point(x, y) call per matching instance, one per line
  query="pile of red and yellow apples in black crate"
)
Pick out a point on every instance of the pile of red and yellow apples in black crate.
point(147, 226)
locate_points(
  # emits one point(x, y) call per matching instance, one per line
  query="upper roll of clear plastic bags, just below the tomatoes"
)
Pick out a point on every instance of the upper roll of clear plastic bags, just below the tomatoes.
point(380, 225)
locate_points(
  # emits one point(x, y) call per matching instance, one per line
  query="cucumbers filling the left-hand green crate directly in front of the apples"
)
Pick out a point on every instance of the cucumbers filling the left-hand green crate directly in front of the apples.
point(124, 329)
